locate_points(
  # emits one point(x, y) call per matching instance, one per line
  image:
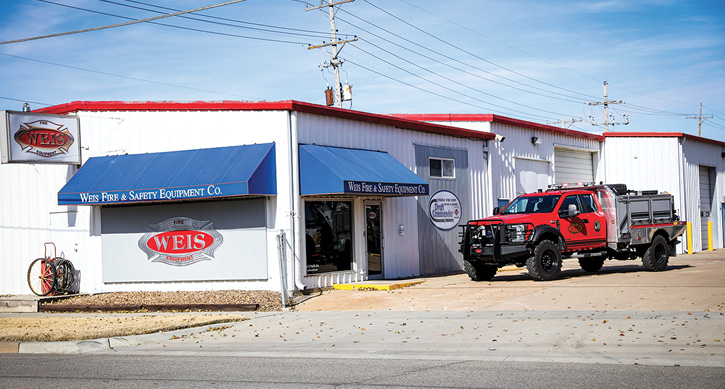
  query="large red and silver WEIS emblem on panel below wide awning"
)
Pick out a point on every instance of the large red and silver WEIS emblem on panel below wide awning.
point(180, 241)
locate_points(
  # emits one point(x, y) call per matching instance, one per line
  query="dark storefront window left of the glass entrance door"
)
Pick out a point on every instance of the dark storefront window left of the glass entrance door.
point(328, 236)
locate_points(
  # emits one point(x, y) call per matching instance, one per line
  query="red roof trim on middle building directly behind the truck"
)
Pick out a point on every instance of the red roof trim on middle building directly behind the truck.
point(455, 117)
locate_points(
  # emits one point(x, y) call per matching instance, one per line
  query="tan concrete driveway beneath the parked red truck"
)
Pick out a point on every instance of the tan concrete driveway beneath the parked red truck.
point(691, 283)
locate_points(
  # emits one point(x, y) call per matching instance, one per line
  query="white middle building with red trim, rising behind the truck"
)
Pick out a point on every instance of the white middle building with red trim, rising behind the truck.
point(526, 156)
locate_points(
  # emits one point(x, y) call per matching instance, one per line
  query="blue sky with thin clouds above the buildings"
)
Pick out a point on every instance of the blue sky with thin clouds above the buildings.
point(530, 60)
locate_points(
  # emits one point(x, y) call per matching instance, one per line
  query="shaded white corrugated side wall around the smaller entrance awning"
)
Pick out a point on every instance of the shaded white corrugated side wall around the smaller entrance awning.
point(401, 252)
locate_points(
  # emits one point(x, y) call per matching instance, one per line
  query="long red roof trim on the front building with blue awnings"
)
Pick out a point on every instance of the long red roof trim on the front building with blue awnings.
point(289, 105)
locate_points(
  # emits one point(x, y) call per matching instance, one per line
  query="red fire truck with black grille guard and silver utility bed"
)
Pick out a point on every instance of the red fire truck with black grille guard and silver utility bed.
point(589, 222)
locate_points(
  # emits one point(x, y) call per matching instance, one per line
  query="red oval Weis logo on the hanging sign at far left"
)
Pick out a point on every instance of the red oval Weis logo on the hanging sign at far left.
point(44, 138)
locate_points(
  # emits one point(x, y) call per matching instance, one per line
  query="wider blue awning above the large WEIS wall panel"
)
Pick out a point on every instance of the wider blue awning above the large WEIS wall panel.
point(177, 175)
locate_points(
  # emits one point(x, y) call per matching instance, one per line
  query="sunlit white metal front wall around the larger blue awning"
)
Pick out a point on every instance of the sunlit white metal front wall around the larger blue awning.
point(28, 193)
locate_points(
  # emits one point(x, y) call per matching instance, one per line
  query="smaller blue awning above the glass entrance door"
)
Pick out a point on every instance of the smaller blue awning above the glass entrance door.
point(332, 170)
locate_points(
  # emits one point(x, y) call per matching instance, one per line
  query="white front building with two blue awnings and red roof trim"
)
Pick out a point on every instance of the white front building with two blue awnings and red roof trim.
point(194, 196)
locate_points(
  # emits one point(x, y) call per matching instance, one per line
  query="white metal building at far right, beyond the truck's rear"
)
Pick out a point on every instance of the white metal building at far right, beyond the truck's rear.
point(690, 167)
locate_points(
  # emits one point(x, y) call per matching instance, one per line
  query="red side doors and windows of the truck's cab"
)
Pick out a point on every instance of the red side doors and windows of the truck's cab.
point(587, 230)
